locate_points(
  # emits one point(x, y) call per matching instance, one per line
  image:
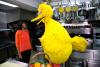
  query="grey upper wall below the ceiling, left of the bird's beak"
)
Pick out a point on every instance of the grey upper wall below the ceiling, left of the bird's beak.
point(14, 15)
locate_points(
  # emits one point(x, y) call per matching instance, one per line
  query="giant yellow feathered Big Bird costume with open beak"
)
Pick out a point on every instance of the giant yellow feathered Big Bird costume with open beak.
point(56, 41)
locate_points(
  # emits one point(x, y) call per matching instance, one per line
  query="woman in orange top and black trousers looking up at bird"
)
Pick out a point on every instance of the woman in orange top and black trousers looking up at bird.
point(23, 43)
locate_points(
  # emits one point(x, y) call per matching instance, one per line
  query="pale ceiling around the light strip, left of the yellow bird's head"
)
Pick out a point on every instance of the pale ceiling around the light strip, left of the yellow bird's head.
point(30, 5)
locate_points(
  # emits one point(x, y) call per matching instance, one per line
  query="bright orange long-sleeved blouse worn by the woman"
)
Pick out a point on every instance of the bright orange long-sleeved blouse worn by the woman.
point(22, 40)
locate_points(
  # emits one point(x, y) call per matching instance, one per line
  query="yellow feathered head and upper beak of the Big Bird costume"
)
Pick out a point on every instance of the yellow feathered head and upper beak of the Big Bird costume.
point(44, 11)
